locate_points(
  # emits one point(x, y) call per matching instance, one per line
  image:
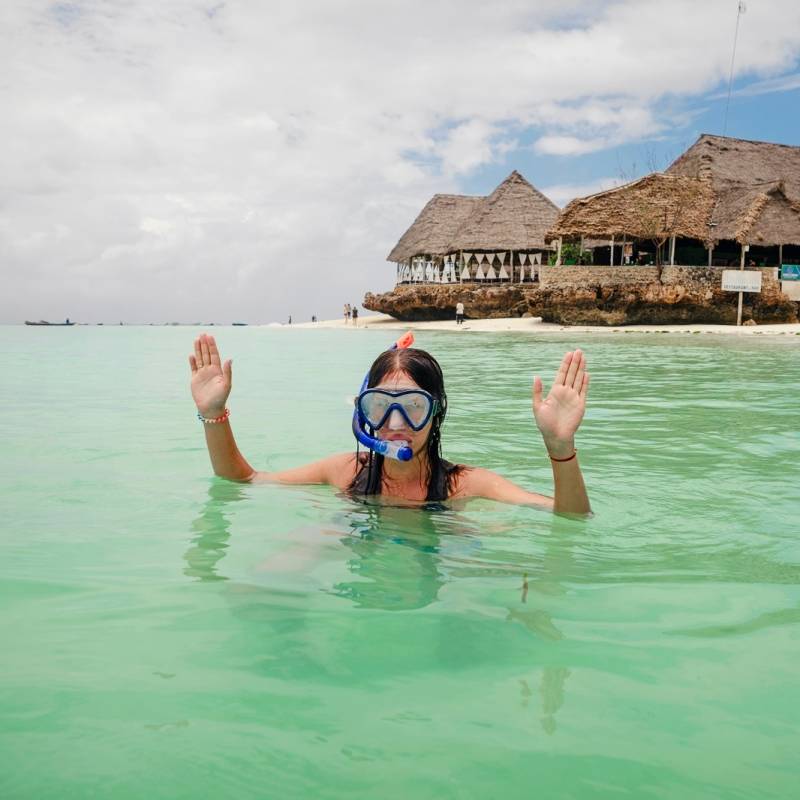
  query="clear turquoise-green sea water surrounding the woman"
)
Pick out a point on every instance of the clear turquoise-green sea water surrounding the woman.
point(169, 635)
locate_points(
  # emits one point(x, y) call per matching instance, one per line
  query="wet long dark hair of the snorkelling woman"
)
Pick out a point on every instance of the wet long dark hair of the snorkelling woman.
point(425, 371)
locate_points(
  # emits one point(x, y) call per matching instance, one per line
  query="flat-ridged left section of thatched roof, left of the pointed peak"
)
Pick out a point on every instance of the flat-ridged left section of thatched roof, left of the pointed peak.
point(435, 226)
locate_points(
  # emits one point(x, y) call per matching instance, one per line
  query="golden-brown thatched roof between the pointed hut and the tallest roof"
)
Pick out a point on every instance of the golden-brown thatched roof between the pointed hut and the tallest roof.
point(656, 206)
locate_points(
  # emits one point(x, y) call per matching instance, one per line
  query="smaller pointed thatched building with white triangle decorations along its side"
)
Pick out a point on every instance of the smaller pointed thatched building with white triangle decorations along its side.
point(494, 239)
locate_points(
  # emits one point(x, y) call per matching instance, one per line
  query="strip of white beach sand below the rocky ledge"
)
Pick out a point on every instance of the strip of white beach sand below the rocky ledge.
point(535, 326)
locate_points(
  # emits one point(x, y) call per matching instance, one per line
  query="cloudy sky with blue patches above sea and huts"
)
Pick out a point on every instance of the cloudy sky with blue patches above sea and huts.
point(179, 160)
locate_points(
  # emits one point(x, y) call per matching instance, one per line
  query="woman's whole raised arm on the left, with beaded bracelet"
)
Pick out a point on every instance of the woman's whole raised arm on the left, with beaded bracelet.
point(211, 386)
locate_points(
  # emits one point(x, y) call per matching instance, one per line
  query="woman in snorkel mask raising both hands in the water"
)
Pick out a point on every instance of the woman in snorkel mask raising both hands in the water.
point(403, 404)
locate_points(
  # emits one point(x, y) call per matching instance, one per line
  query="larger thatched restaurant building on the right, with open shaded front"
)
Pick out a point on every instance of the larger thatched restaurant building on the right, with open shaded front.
point(724, 203)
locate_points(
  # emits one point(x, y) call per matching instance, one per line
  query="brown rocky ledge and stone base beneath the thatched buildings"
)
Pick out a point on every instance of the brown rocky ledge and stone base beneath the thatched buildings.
point(595, 296)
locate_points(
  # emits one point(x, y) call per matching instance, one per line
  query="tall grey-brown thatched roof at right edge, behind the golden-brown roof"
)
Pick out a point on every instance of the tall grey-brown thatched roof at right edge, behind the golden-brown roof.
point(757, 185)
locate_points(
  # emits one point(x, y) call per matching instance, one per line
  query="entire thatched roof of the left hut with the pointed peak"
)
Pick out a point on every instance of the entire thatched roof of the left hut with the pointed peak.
point(515, 216)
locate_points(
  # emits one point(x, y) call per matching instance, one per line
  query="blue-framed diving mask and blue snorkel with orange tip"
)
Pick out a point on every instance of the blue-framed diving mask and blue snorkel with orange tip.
point(375, 406)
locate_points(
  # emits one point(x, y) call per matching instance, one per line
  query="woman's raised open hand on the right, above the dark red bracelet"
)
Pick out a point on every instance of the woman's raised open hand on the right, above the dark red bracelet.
point(559, 415)
